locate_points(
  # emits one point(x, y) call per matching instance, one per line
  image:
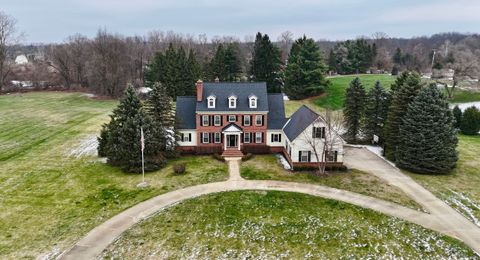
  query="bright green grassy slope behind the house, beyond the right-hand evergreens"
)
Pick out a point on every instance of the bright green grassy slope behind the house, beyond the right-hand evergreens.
point(335, 94)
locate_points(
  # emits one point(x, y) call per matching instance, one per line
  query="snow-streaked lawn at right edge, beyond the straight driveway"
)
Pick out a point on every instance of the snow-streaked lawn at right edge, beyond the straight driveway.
point(461, 188)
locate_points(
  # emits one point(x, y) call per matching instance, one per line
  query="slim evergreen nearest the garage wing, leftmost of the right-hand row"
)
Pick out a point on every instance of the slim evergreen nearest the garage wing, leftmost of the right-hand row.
point(353, 108)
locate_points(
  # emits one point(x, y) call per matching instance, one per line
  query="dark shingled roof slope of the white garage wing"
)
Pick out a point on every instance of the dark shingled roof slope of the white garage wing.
point(302, 118)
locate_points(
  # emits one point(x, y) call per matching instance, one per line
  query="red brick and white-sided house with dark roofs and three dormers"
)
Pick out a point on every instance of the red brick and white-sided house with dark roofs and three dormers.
point(236, 118)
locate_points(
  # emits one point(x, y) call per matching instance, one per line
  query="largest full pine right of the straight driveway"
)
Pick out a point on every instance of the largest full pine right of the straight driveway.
point(427, 138)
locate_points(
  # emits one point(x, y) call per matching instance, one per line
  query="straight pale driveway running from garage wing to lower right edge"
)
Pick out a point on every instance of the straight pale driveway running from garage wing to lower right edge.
point(452, 222)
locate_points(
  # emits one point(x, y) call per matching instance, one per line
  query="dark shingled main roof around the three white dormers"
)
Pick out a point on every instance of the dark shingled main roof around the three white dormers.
point(223, 90)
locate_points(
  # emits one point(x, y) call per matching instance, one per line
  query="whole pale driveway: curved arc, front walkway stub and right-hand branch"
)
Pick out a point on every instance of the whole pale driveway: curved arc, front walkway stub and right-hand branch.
point(100, 237)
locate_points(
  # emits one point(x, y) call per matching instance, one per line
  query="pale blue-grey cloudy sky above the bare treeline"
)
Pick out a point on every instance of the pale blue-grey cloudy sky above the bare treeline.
point(44, 21)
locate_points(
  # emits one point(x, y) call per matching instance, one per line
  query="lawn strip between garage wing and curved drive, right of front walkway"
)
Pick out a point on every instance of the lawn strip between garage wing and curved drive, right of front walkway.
point(266, 167)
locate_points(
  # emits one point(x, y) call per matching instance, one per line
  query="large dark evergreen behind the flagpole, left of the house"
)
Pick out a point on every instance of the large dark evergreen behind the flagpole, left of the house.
point(119, 140)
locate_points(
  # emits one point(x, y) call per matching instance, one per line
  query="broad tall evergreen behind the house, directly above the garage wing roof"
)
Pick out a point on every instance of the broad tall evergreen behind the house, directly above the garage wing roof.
point(304, 75)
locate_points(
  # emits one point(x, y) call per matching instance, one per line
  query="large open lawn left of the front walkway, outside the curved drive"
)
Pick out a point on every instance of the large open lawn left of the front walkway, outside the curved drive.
point(49, 199)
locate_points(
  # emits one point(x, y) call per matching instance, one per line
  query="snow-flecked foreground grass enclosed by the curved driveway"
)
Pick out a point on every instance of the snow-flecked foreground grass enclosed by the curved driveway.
point(272, 225)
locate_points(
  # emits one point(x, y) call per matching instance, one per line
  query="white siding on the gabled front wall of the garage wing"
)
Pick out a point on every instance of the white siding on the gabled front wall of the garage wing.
point(301, 144)
